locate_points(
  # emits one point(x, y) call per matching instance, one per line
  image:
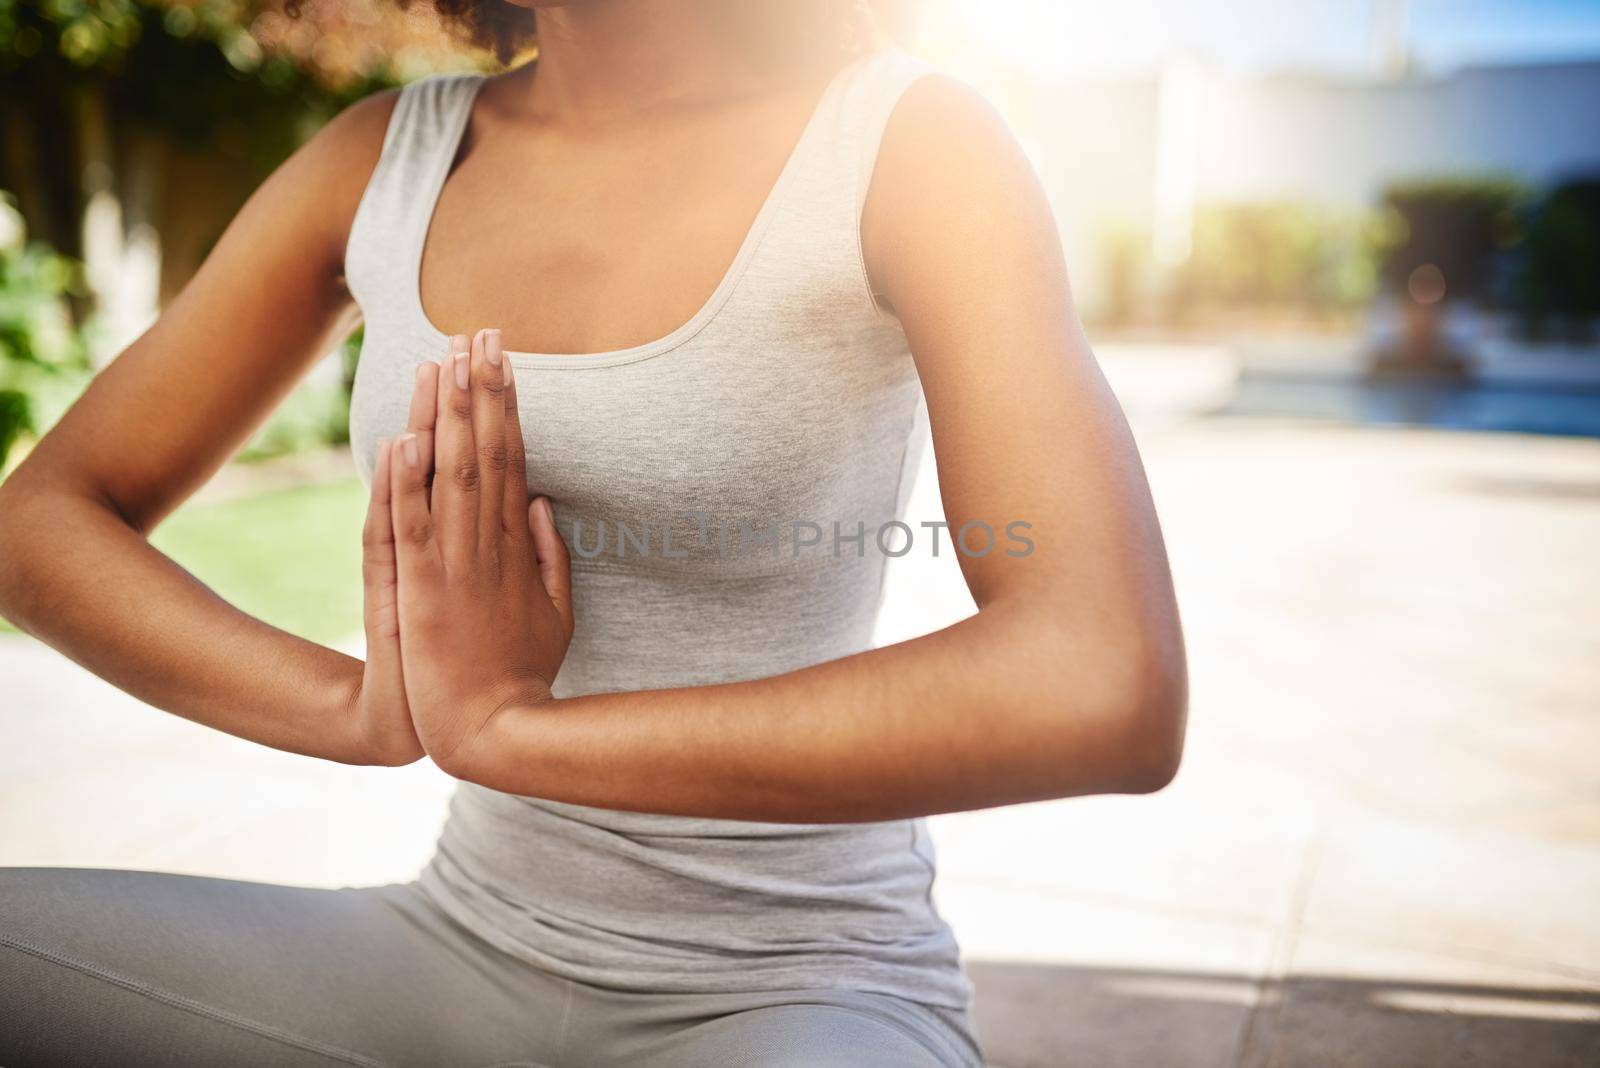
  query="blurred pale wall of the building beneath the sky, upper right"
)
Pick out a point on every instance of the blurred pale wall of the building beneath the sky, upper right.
point(1132, 159)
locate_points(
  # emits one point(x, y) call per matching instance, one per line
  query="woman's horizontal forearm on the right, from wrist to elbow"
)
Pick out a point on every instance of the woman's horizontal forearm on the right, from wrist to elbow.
point(986, 712)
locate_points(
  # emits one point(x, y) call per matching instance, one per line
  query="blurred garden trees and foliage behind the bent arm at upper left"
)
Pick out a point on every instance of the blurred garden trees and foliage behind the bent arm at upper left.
point(137, 129)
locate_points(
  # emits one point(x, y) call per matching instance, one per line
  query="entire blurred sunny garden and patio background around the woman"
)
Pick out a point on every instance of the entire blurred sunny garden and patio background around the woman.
point(1342, 261)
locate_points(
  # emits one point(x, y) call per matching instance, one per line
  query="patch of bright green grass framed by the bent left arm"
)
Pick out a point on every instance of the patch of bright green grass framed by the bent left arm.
point(289, 557)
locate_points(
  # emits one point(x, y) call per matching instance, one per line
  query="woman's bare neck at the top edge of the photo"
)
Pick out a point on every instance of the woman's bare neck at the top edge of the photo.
point(607, 58)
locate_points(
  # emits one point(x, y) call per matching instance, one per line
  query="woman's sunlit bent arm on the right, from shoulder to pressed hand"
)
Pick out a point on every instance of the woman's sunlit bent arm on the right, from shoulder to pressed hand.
point(1071, 677)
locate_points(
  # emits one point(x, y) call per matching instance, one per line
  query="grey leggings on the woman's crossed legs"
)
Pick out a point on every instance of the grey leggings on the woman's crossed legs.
point(130, 970)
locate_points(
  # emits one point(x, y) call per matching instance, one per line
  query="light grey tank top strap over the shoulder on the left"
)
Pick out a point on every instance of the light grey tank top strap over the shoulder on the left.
point(386, 237)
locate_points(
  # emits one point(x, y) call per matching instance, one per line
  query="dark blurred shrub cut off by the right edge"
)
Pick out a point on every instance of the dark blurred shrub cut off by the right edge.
point(1558, 284)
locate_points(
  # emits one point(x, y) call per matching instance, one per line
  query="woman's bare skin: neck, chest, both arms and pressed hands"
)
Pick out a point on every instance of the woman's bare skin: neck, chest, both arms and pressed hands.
point(1070, 680)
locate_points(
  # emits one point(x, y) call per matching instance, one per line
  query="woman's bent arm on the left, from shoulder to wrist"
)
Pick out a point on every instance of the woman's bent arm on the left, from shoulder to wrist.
point(76, 568)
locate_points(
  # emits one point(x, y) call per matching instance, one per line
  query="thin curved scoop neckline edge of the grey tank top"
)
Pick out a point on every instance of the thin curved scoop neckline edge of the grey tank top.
point(646, 351)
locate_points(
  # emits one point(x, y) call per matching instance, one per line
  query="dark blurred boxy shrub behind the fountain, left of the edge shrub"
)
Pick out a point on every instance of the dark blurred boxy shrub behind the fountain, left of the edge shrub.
point(1458, 226)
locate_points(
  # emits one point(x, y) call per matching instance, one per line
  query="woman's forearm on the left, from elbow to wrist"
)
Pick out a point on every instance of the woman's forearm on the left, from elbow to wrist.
point(122, 610)
